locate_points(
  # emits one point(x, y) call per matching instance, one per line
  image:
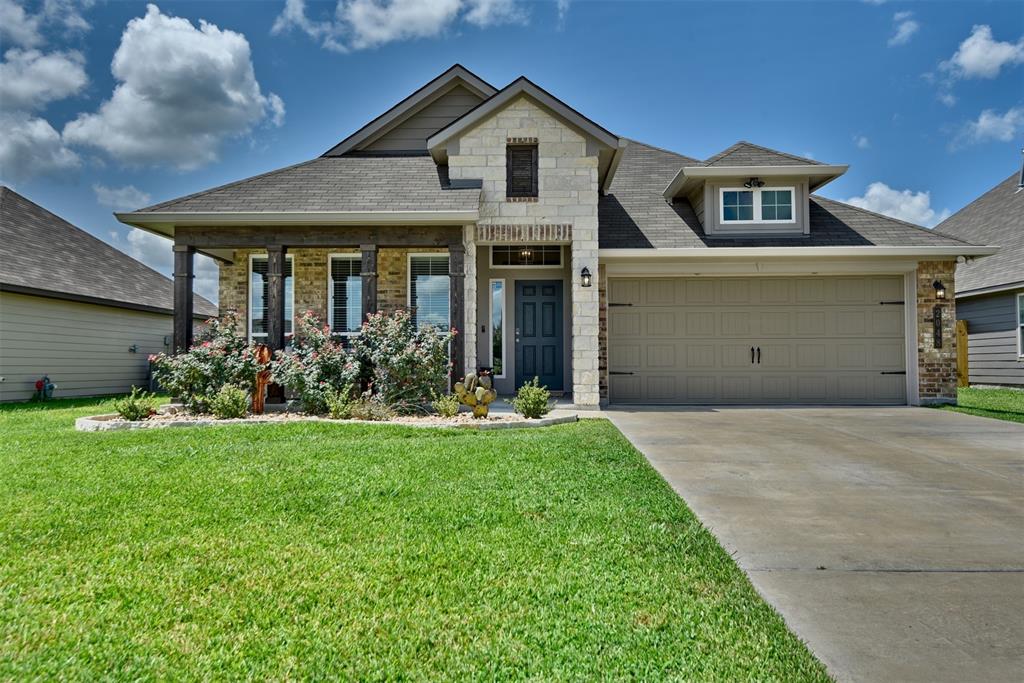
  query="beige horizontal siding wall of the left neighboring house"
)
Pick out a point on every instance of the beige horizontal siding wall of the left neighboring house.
point(84, 349)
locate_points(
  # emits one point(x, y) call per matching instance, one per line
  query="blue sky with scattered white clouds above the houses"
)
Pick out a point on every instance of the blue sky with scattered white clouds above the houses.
point(925, 101)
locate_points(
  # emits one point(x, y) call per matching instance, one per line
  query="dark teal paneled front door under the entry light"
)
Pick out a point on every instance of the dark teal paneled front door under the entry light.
point(539, 332)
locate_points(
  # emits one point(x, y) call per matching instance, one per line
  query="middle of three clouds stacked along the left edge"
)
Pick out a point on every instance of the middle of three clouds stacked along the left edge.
point(30, 79)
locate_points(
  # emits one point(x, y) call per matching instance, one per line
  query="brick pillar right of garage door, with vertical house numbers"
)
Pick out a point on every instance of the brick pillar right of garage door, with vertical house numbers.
point(936, 367)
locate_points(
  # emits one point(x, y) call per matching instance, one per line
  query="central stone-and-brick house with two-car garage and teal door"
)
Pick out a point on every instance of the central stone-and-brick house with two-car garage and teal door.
point(614, 271)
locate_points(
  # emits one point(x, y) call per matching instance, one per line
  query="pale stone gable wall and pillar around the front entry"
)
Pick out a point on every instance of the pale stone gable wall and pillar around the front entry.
point(568, 196)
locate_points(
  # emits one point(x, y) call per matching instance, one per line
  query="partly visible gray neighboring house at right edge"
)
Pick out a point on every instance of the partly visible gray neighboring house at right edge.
point(991, 291)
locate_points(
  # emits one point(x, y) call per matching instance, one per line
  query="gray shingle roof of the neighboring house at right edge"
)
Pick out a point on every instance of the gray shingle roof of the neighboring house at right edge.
point(995, 219)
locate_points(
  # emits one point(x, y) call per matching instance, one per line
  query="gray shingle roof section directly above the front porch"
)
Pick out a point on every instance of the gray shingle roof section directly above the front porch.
point(337, 184)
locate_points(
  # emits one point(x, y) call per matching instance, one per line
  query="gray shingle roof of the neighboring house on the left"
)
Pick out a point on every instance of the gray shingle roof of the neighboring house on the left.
point(42, 251)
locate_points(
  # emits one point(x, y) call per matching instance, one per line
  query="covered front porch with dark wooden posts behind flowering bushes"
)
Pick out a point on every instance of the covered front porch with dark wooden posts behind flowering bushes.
point(343, 274)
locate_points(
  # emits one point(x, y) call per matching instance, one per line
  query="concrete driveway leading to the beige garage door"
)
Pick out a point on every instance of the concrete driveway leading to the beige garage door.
point(890, 540)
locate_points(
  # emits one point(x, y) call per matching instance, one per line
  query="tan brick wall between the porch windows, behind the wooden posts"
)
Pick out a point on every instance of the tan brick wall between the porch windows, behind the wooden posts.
point(311, 270)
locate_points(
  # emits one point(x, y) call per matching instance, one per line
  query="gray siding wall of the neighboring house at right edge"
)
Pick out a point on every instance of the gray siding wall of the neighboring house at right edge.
point(992, 325)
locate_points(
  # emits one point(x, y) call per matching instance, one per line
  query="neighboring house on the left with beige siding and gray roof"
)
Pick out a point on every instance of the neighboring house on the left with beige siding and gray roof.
point(74, 309)
